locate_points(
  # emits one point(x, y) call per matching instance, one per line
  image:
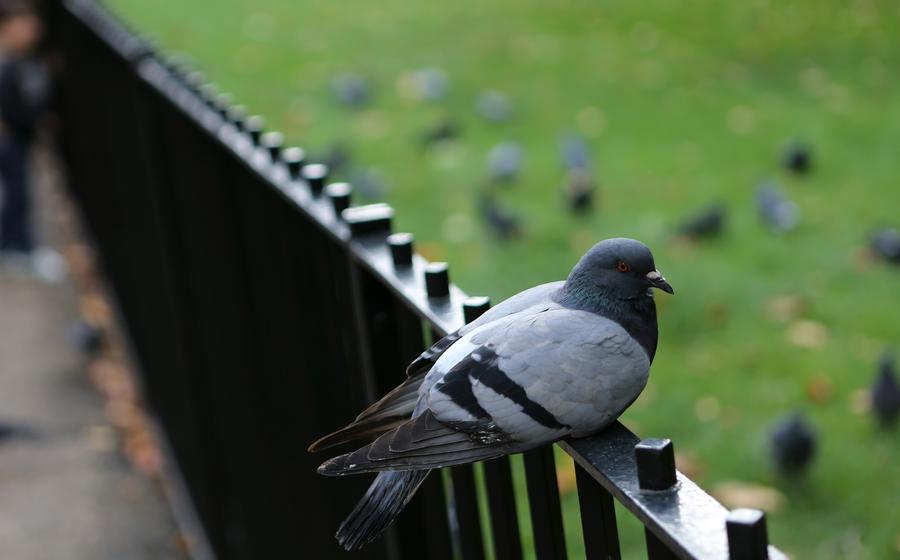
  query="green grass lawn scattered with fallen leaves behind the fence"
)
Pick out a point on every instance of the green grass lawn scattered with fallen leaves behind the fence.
point(683, 103)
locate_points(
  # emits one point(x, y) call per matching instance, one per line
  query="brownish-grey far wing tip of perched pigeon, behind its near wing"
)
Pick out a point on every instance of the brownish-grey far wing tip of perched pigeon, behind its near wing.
point(390, 411)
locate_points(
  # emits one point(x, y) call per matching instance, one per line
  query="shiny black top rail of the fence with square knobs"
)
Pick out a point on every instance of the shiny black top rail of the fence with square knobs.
point(641, 475)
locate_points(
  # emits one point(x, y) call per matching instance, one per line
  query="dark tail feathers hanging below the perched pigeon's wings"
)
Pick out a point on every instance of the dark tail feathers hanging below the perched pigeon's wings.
point(383, 502)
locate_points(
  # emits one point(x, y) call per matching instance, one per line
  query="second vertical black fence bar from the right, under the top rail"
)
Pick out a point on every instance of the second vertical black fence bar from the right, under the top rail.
point(598, 518)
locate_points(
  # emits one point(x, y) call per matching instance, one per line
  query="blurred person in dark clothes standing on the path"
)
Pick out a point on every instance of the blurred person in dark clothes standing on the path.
point(23, 94)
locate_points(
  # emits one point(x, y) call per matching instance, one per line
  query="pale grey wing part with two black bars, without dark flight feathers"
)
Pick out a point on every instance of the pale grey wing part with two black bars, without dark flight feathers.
point(539, 376)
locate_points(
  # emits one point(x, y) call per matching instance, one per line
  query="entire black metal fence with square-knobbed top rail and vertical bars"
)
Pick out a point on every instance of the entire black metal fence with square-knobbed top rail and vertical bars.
point(263, 317)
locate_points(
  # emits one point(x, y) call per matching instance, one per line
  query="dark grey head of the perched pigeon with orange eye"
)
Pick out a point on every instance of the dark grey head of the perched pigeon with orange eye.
point(621, 268)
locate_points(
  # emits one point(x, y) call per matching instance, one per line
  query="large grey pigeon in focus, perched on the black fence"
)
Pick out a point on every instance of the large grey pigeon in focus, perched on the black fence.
point(558, 360)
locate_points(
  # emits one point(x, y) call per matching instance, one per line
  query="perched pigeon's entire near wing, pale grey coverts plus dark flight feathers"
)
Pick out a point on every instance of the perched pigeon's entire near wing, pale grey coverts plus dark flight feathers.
point(508, 386)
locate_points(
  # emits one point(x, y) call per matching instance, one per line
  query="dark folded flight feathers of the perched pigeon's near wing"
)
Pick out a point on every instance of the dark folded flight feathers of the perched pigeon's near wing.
point(421, 443)
